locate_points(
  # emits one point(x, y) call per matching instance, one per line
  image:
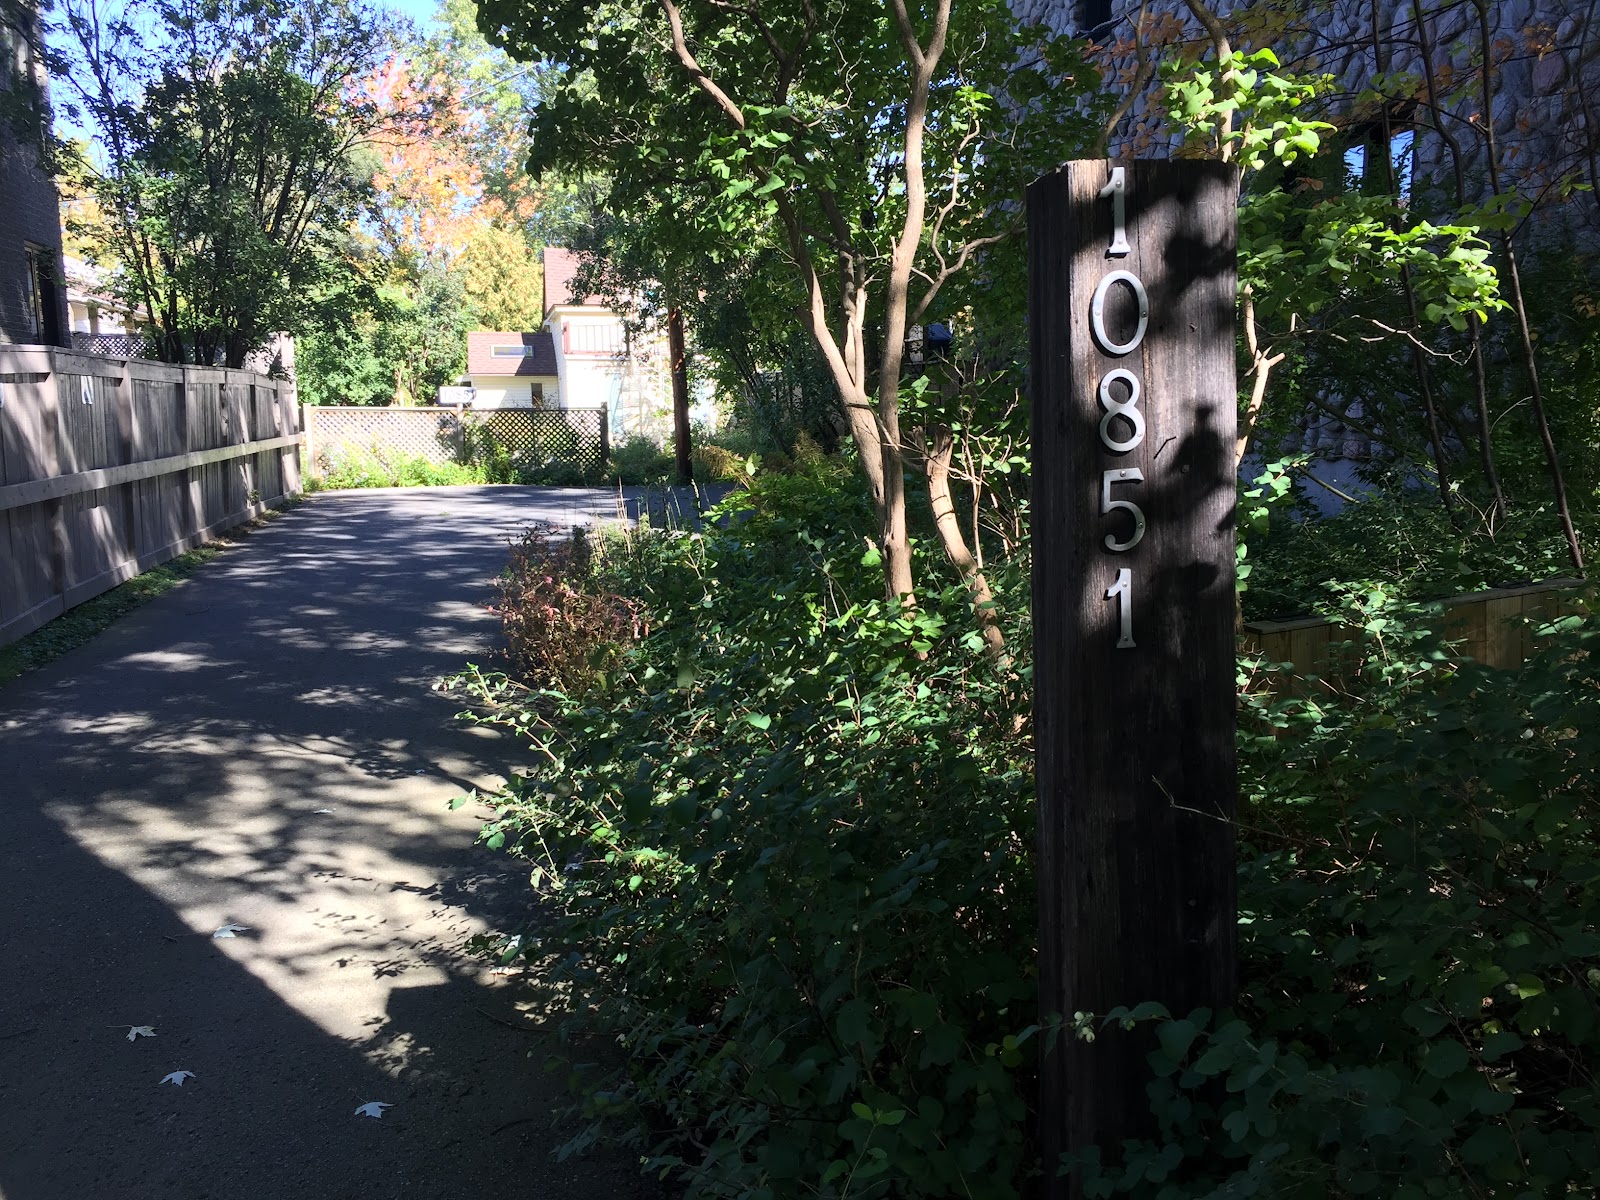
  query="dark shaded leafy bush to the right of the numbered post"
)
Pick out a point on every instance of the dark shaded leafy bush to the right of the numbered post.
point(1420, 937)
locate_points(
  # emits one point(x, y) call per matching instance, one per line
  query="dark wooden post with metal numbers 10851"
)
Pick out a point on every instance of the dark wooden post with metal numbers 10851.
point(1132, 324)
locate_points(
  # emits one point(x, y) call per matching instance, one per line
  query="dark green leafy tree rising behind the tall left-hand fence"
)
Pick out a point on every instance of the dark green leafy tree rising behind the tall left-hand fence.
point(225, 166)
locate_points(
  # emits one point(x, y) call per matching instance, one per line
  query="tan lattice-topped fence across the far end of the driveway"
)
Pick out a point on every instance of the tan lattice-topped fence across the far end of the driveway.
point(438, 434)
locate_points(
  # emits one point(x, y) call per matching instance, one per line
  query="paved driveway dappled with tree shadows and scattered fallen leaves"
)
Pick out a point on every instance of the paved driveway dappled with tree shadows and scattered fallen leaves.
point(164, 782)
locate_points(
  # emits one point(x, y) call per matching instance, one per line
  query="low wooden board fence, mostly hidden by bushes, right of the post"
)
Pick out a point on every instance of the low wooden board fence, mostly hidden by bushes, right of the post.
point(1494, 628)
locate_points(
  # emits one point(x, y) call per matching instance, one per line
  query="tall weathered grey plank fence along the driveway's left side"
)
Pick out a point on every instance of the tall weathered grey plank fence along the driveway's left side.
point(113, 466)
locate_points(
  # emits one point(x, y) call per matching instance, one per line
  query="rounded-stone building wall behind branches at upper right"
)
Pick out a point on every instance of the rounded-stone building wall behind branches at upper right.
point(1548, 71)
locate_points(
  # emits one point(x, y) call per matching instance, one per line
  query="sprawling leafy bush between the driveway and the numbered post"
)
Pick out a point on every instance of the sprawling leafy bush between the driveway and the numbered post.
point(790, 846)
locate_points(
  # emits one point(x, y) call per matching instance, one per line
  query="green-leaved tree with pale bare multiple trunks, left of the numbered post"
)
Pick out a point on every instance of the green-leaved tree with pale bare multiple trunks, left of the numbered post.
point(873, 145)
